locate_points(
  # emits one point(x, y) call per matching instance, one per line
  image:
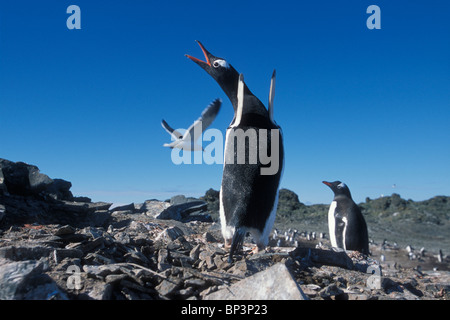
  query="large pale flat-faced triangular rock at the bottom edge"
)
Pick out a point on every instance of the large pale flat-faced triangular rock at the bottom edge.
point(275, 283)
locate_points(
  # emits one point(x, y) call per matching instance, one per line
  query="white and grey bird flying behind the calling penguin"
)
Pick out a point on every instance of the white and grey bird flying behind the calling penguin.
point(187, 141)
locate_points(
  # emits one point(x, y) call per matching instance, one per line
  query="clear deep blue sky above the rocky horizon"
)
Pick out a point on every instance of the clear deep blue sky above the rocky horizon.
point(367, 107)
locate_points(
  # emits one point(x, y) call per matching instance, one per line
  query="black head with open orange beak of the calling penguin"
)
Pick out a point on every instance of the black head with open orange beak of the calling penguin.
point(218, 68)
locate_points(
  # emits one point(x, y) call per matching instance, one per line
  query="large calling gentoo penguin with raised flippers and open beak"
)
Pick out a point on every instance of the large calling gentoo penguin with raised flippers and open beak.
point(248, 196)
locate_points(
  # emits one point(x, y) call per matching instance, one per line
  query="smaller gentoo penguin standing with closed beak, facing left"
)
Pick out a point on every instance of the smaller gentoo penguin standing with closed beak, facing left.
point(346, 224)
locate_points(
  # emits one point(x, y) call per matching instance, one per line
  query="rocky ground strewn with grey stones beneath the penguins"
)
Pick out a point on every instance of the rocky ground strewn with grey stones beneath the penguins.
point(54, 246)
